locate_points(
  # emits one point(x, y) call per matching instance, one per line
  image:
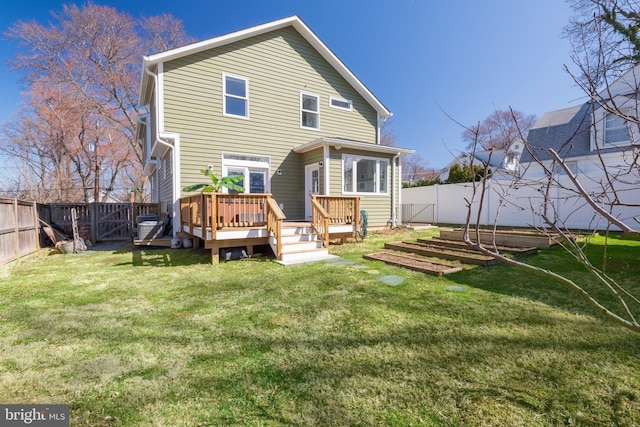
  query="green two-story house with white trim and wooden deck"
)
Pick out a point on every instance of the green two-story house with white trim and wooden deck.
point(272, 103)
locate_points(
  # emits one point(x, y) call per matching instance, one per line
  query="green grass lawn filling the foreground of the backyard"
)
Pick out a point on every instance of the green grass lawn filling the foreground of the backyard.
point(161, 337)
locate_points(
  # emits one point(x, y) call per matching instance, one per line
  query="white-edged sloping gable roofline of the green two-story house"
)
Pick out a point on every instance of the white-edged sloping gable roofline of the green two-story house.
point(294, 21)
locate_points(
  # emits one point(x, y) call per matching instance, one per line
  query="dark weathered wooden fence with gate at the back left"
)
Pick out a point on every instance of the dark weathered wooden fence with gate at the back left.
point(98, 222)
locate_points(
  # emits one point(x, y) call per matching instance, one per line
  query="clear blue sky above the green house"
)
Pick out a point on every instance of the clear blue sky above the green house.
point(466, 57)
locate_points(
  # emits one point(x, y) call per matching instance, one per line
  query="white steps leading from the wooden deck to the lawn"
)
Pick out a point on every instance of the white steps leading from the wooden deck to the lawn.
point(300, 244)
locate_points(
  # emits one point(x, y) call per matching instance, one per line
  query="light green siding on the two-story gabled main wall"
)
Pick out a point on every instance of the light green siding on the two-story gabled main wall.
point(277, 66)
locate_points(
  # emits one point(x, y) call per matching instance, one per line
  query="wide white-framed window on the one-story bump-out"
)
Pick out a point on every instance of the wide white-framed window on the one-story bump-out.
point(364, 174)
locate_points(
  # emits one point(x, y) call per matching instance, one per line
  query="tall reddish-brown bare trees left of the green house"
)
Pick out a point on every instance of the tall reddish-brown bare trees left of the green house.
point(82, 74)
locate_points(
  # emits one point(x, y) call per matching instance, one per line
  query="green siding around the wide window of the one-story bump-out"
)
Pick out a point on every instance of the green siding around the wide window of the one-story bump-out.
point(378, 206)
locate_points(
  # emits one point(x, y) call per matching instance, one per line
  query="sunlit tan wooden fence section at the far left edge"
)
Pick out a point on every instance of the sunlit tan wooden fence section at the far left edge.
point(18, 229)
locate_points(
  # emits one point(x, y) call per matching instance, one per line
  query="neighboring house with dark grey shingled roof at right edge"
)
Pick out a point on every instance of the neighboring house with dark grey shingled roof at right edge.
point(588, 135)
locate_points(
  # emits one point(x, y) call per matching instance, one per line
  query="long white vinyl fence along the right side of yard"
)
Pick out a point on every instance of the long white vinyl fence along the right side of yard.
point(520, 205)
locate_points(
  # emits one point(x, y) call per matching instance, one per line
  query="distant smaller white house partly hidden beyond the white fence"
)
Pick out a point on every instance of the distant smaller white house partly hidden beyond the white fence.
point(501, 162)
